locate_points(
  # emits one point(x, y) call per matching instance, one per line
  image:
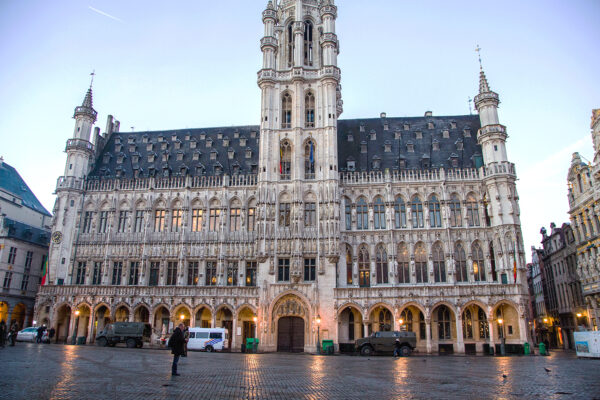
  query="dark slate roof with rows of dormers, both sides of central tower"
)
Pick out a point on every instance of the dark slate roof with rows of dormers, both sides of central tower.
point(234, 150)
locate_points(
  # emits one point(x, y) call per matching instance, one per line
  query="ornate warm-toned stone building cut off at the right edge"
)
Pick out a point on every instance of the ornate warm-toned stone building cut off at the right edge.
point(584, 202)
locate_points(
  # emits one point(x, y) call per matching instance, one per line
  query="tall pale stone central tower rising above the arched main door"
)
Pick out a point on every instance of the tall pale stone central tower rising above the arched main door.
point(298, 190)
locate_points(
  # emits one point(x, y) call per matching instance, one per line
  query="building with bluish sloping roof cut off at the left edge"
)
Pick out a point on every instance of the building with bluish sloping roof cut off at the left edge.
point(24, 238)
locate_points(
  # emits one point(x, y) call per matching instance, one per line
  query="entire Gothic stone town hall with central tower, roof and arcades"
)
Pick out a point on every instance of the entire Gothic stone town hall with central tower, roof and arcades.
point(301, 228)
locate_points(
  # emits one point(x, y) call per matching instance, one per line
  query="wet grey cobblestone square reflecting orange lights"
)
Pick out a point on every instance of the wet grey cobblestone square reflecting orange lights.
point(86, 372)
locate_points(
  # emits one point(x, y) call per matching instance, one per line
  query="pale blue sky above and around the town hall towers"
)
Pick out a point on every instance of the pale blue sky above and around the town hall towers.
point(193, 63)
